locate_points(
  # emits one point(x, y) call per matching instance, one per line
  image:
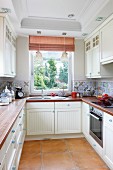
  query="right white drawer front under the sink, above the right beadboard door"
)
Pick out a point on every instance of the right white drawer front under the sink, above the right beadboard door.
point(67, 105)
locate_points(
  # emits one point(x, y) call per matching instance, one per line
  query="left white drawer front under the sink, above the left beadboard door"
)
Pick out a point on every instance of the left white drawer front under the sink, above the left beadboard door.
point(40, 105)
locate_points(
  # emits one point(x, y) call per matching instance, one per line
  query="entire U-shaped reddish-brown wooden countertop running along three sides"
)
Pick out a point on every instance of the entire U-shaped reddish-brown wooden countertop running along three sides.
point(8, 114)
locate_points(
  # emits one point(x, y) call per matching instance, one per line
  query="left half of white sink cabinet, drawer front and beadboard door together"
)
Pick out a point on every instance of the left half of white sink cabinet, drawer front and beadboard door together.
point(40, 118)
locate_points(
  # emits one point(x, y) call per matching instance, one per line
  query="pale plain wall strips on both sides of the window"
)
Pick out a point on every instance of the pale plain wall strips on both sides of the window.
point(23, 60)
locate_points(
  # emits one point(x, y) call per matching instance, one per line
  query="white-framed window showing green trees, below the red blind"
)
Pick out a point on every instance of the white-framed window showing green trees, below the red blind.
point(52, 74)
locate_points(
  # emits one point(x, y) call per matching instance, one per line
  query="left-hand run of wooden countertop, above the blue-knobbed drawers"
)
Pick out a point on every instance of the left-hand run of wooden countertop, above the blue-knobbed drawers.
point(8, 115)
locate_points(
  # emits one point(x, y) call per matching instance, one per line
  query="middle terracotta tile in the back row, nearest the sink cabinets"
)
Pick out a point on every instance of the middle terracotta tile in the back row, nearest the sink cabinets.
point(53, 146)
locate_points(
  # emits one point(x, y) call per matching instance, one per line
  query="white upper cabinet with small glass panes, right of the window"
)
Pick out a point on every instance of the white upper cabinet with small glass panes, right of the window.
point(92, 57)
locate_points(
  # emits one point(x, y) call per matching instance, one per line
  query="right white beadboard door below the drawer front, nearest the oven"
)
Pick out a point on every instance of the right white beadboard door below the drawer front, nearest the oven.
point(68, 121)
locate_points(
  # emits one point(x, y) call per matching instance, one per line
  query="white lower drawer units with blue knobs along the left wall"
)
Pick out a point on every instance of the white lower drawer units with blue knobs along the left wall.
point(11, 150)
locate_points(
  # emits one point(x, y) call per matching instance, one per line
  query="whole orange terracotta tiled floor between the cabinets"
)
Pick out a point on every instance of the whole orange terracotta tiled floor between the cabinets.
point(63, 154)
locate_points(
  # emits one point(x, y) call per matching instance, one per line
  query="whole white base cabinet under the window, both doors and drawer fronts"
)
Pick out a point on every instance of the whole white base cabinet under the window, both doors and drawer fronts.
point(53, 118)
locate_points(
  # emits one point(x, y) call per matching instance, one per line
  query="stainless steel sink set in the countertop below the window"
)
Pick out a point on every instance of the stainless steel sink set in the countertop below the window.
point(46, 98)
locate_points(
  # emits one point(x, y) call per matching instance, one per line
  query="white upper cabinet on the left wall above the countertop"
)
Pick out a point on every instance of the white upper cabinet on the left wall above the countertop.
point(7, 48)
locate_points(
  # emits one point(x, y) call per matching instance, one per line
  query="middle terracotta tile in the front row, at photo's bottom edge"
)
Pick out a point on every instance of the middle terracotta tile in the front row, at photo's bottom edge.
point(58, 161)
